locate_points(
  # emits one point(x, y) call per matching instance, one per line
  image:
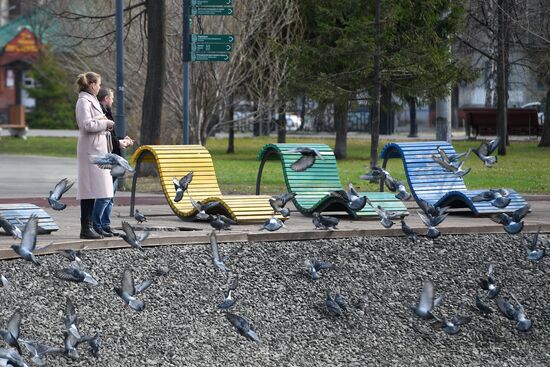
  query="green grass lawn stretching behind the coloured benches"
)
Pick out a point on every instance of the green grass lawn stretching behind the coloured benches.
point(524, 168)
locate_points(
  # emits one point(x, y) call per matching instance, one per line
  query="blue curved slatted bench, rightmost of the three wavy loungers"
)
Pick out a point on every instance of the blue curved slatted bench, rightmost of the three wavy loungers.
point(429, 181)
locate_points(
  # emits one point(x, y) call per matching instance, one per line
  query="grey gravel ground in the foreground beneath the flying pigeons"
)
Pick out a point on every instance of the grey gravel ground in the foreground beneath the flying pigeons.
point(181, 325)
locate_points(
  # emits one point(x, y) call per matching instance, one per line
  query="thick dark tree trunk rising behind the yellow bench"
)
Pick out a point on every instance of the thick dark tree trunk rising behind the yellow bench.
point(154, 82)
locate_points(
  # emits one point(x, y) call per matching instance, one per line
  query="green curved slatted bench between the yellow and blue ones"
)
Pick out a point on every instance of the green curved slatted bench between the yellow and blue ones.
point(314, 185)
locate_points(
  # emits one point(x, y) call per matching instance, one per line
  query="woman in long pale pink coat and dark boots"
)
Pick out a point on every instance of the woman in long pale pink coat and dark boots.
point(93, 182)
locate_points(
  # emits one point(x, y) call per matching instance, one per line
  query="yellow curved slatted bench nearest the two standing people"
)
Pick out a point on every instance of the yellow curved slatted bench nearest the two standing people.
point(178, 160)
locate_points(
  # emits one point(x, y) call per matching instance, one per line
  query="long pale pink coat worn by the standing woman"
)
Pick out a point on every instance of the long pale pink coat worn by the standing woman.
point(93, 182)
